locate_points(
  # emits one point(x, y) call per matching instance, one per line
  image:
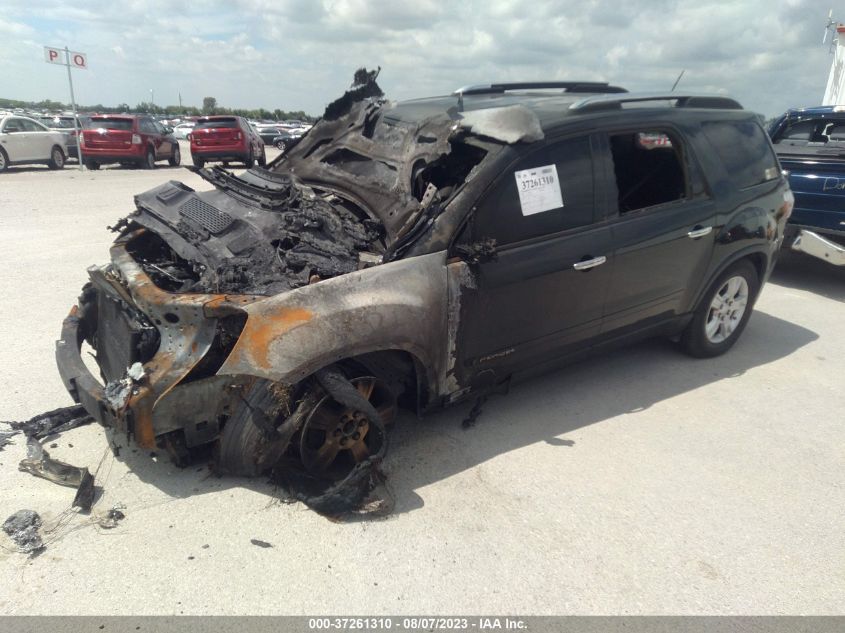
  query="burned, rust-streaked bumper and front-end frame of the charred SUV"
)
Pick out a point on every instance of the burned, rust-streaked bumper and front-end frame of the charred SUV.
point(165, 399)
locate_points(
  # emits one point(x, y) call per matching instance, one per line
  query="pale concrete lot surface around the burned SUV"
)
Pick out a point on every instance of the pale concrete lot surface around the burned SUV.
point(639, 482)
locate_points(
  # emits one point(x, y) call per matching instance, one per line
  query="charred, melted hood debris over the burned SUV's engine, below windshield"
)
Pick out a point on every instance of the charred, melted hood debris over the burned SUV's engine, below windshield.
point(260, 233)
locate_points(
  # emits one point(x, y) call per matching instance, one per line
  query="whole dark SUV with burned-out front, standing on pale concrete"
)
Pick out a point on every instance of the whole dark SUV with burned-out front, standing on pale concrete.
point(416, 254)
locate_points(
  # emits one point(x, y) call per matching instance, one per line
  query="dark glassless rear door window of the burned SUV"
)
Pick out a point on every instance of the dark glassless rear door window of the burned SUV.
point(648, 167)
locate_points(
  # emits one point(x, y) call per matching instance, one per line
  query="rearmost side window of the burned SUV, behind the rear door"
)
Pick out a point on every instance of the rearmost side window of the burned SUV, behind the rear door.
point(744, 150)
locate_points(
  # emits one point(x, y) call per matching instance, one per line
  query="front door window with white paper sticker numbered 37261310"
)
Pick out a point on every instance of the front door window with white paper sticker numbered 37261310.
point(549, 191)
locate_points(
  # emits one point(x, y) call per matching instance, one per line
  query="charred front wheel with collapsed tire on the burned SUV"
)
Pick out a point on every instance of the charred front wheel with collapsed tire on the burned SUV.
point(330, 436)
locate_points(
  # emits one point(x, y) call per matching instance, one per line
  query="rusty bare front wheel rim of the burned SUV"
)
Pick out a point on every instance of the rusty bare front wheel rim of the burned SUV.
point(334, 437)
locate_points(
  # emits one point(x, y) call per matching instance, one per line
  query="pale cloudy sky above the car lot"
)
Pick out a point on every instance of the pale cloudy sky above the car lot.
point(301, 54)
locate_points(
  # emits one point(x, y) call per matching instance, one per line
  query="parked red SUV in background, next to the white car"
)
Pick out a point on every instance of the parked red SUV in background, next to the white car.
point(128, 140)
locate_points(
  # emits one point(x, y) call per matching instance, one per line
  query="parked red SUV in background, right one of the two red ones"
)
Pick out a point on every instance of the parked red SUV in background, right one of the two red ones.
point(226, 138)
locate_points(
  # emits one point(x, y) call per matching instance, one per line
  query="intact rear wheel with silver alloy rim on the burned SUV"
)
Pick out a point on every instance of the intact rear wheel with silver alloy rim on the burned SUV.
point(723, 312)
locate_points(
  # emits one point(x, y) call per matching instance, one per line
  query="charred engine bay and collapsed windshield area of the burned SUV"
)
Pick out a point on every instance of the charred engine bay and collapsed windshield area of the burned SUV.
point(356, 191)
